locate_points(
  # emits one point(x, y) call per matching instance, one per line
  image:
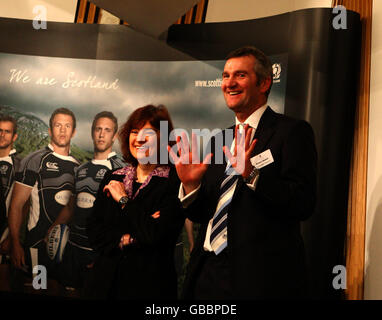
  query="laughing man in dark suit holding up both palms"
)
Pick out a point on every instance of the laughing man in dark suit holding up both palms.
point(250, 245)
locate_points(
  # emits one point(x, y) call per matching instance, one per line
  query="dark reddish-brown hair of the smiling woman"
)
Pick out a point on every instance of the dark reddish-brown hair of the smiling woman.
point(154, 115)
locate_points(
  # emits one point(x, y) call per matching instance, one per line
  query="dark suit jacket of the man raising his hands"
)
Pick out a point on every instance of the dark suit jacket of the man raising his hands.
point(265, 248)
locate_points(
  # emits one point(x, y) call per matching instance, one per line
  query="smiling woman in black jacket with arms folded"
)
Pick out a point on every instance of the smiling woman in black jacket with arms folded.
point(137, 216)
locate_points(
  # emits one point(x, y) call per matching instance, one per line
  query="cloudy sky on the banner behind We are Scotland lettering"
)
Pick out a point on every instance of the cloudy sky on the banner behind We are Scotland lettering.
point(190, 89)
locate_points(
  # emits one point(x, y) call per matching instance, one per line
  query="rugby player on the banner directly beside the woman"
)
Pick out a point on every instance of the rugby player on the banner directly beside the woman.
point(78, 255)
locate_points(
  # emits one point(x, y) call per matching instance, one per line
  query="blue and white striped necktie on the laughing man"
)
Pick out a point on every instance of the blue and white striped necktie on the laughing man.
point(218, 237)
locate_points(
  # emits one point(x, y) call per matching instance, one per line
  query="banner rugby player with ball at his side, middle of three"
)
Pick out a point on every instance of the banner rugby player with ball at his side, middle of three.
point(47, 178)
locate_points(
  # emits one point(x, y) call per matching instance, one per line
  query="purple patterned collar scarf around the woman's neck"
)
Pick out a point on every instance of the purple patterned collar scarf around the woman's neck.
point(130, 173)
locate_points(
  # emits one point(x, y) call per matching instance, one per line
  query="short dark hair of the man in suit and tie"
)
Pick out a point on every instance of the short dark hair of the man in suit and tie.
point(263, 66)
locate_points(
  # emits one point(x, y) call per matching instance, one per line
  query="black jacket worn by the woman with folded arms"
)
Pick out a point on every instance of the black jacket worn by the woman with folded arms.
point(146, 268)
